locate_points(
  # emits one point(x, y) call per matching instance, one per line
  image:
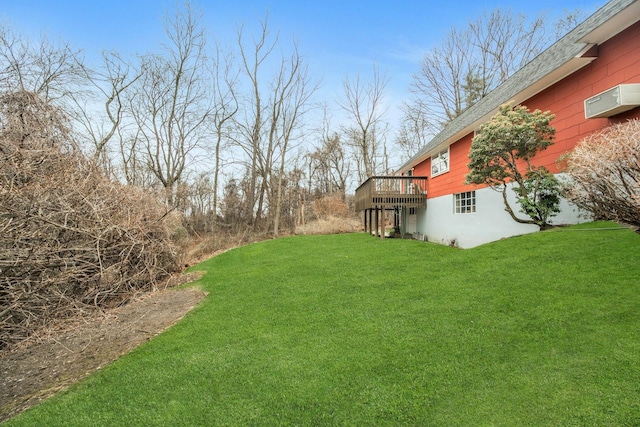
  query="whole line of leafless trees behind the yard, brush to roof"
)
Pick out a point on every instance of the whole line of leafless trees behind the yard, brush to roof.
point(235, 137)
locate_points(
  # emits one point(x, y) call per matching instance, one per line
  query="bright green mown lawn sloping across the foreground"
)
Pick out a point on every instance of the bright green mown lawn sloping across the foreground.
point(349, 330)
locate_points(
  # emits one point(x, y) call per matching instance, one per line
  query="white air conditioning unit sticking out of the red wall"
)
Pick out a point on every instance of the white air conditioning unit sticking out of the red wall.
point(614, 101)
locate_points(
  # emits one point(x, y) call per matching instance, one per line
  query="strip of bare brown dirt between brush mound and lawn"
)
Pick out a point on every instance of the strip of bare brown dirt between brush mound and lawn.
point(56, 359)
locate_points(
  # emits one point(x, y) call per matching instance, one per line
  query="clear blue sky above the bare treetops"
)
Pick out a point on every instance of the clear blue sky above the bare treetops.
point(338, 38)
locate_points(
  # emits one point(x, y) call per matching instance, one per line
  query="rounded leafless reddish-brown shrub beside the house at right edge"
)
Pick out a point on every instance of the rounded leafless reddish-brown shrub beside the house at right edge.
point(604, 169)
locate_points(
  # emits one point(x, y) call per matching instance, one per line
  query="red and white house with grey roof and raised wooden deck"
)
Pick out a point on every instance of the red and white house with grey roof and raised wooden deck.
point(589, 79)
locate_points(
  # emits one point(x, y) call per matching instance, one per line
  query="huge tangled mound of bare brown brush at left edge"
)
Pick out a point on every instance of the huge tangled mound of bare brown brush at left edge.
point(69, 237)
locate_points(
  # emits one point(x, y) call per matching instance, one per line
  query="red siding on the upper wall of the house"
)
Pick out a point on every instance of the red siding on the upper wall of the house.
point(618, 62)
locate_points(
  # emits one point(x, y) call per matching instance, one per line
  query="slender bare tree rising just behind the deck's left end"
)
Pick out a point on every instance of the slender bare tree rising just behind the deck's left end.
point(364, 105)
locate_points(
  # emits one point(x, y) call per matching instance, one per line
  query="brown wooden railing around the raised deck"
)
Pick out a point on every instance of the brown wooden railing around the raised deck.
point(387, 192)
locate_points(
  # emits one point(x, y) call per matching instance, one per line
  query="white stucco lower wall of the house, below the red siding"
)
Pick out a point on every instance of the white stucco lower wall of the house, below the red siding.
point(490, 222)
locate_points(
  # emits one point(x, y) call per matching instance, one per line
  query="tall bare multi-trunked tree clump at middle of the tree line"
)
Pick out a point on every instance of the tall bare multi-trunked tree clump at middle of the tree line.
point(270, 121)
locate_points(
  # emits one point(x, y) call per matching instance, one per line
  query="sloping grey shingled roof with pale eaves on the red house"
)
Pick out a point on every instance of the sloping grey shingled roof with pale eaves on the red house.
point(561, 59)
